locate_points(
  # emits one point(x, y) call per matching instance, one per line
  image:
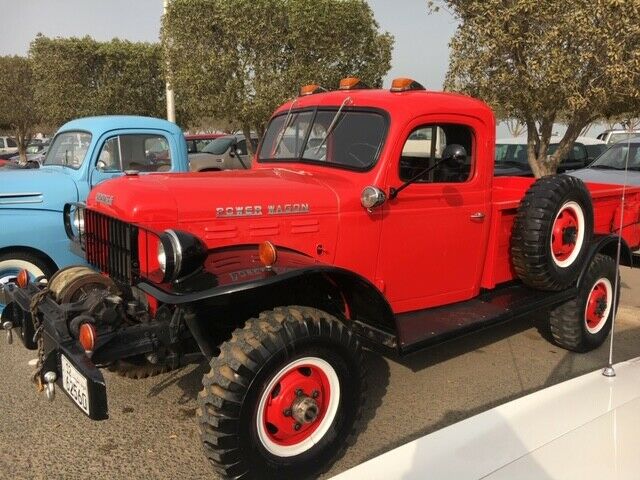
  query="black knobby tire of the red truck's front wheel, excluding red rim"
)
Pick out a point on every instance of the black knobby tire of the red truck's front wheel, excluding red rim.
point(228, 413)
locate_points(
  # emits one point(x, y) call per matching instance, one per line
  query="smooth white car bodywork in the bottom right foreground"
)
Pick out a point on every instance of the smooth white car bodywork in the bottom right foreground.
point(586, 428)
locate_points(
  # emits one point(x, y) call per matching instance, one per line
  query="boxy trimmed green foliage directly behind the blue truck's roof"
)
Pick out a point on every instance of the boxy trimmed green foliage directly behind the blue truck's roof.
point(80, 77)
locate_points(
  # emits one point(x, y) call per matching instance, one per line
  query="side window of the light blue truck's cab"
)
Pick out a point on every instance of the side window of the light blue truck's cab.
point(142, 152)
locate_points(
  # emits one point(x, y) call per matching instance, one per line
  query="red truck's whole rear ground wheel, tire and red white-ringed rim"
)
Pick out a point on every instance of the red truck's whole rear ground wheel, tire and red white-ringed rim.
point(584, 323)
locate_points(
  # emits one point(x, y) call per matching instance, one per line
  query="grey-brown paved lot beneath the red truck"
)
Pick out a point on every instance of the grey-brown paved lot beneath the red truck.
point(152, 432)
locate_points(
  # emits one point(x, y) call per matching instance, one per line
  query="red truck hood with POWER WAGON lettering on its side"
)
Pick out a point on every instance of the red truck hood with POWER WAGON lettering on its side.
point(289, 208)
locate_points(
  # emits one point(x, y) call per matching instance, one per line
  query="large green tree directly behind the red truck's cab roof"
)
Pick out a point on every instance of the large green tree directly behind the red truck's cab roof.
point(227, 68)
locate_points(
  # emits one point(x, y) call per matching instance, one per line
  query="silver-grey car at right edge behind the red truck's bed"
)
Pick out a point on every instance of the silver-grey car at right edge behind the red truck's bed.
point(610, 166)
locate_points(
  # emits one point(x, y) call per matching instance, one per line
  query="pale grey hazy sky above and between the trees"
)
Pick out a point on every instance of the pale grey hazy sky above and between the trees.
point(420, 50)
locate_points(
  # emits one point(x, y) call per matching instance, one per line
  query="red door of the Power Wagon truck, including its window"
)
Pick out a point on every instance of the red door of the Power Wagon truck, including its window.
point(434, 233)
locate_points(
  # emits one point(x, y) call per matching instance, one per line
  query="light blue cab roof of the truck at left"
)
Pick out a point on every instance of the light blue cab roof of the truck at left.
point(100, 124)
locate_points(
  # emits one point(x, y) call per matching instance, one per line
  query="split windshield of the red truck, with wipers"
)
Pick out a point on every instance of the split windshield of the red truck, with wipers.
point(351, 140)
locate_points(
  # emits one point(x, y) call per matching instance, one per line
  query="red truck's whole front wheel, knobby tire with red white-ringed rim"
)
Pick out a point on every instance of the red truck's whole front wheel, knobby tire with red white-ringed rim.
point(283, 396)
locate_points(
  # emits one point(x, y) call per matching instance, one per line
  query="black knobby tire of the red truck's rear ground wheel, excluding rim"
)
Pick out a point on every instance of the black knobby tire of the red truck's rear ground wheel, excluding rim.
point(568, 321)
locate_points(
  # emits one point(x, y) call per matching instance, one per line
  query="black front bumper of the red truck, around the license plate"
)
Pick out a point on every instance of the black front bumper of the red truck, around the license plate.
point(56, 342)
